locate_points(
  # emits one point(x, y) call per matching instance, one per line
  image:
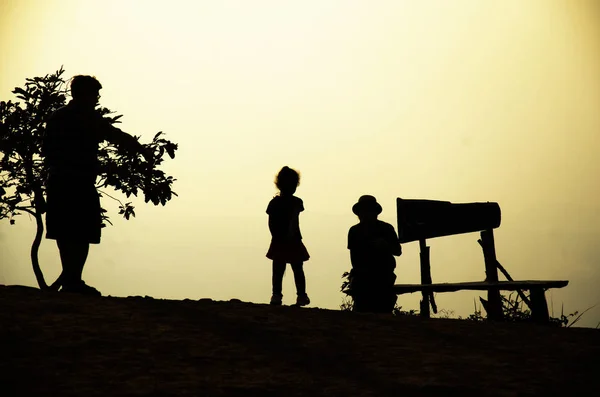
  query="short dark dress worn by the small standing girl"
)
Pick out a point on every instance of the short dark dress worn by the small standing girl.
point(286, 242)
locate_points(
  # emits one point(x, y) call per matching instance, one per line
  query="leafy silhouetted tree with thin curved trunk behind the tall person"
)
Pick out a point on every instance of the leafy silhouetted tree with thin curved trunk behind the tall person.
point(22, 170)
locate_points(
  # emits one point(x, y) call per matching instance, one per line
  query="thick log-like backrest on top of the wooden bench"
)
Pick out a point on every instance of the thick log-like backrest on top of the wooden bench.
point(424, 219)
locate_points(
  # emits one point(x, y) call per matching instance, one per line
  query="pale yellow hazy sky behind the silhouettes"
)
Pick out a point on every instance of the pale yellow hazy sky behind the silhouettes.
point(461, 101)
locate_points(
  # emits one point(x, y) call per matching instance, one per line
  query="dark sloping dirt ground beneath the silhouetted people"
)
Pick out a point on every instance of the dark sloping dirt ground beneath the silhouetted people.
point(57, 344)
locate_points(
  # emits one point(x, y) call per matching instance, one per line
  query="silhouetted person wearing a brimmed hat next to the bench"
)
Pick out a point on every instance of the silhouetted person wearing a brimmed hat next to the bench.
point(373, 245)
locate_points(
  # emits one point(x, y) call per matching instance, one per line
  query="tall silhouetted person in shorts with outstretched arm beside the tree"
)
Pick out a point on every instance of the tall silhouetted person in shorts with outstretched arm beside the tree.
point(70, 149)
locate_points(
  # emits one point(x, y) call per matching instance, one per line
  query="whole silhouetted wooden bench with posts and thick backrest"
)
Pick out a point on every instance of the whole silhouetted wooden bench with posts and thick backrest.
point(422, 219)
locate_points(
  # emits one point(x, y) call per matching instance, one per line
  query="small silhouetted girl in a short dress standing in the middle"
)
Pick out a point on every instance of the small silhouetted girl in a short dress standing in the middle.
point(286, 239)
